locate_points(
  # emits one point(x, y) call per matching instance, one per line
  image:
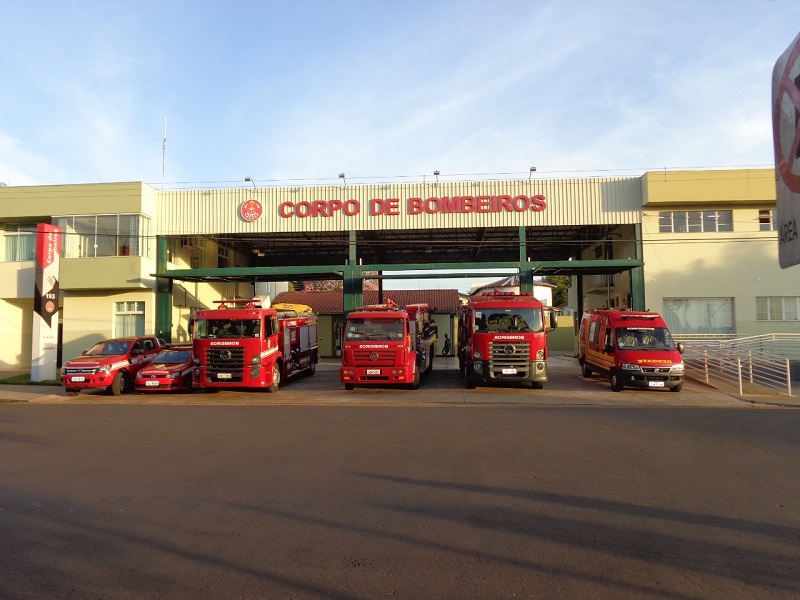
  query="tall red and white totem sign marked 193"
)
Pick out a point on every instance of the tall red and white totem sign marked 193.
point(44, 346)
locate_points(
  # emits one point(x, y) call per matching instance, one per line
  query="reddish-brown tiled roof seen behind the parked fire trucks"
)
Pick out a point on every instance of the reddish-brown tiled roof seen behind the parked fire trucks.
point(331, 303)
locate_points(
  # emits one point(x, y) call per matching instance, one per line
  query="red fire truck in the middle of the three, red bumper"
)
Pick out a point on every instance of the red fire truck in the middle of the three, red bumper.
point(385, 344)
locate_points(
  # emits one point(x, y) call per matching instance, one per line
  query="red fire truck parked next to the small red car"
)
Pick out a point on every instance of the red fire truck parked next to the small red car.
point(247, 344)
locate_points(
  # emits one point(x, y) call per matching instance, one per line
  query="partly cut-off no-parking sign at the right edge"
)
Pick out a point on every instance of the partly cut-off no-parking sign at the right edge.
point(786, 137)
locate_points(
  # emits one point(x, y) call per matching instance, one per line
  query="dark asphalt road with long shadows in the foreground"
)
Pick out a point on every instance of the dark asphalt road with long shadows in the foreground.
point(364, 501)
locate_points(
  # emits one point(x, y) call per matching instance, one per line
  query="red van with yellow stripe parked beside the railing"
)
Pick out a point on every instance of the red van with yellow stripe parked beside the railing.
point(632, 348)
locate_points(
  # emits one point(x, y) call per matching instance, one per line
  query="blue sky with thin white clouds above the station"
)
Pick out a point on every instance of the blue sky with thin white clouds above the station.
point(297, 92)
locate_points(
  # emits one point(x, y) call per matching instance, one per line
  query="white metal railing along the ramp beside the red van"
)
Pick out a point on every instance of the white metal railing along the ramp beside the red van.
point(749, 366)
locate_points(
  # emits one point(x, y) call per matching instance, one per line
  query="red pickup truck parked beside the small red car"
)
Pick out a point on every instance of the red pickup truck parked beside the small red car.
point(111, 365)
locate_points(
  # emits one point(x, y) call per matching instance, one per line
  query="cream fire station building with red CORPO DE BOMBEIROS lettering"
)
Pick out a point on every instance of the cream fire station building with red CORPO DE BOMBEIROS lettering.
point(700, 247)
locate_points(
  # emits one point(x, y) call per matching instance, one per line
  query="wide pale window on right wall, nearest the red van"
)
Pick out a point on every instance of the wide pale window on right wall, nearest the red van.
point(699, 316)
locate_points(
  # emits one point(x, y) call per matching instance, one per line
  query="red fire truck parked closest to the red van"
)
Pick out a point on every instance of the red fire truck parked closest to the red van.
point(502, 339)
